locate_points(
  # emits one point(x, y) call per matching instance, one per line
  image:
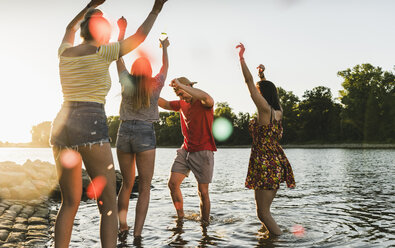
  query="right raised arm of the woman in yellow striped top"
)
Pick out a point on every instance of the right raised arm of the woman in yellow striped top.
point(135, 40)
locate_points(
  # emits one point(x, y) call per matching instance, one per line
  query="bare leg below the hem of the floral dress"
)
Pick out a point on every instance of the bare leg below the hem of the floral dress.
point(264, 199)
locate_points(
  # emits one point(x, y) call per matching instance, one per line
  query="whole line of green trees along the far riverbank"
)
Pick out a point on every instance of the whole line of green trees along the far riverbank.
point(363, 113)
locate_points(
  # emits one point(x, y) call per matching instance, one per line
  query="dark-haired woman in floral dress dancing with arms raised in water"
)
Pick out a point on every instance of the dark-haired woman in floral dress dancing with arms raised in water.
point(268, 165)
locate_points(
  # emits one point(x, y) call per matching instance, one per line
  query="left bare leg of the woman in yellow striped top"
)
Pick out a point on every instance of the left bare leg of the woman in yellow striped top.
point(70, 181)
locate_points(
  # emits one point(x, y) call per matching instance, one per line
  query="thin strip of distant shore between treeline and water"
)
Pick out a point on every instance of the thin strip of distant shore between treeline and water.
point(307, 146)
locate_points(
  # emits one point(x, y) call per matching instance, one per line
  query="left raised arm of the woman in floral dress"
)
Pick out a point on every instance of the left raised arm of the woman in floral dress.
point(256, 96)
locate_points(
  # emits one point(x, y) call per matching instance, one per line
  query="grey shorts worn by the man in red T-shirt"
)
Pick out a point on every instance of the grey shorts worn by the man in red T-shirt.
point(201, 164)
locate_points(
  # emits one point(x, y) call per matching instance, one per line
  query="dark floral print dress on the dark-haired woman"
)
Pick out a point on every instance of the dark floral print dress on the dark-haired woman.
point(268, 165)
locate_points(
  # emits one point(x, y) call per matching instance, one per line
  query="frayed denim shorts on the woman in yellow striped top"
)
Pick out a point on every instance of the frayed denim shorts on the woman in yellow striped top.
point(79, 124)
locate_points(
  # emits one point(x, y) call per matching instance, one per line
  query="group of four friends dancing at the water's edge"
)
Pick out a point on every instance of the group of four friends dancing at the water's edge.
point(81, 126)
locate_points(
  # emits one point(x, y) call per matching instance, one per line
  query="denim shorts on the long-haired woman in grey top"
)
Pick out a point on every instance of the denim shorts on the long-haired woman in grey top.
point(136, 136)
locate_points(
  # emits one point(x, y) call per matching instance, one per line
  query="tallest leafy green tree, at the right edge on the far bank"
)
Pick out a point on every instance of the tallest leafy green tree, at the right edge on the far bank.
point(365, 84)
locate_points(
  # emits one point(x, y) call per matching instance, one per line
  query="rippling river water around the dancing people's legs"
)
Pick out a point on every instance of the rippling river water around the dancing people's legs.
point(343, 198)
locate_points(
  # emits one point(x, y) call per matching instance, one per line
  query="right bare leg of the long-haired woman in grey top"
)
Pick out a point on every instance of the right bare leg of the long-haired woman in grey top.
point(145, 162)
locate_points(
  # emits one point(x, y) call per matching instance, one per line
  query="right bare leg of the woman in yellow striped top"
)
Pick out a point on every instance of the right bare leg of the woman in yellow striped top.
point(99, 162)
